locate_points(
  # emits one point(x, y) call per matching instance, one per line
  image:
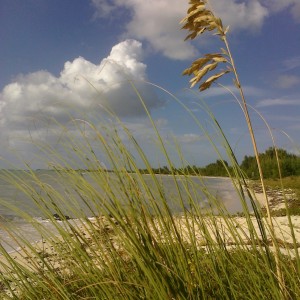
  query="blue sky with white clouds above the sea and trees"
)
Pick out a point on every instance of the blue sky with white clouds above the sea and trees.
point(62, 59)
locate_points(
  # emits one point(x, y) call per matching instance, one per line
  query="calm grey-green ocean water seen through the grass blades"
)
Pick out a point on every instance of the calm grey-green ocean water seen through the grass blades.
point(14, 202)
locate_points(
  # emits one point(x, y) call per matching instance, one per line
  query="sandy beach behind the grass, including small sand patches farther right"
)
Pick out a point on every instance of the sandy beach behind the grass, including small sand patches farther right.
point(93, 239)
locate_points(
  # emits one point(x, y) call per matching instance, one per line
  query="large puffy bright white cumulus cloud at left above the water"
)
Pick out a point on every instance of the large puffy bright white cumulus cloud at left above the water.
point(82, 87)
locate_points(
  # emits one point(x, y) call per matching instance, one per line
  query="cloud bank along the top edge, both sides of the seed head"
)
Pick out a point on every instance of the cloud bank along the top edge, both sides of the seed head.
point(157, 21)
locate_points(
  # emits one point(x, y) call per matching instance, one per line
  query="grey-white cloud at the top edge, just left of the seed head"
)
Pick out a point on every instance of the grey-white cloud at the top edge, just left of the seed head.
point(156, 21)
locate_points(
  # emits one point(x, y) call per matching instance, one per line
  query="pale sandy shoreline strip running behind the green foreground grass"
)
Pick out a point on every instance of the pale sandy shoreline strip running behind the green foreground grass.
point(55, 254)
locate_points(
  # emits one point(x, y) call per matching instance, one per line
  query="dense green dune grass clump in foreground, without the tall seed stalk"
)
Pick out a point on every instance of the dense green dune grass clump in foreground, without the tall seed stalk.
point(134, 247)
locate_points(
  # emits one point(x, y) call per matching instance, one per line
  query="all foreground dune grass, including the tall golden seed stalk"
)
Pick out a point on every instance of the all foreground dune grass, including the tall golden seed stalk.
point(114, 233)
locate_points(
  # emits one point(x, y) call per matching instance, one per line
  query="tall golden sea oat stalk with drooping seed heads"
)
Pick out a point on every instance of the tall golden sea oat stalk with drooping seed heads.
point(201, 18)
